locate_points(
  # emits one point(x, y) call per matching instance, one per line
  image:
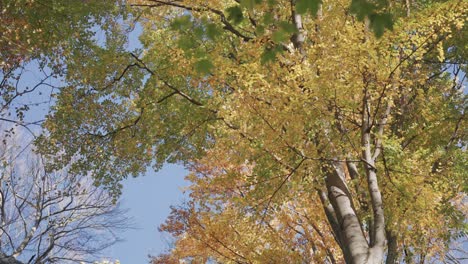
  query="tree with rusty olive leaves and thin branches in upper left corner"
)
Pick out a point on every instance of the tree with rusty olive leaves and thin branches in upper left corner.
point(35, 39)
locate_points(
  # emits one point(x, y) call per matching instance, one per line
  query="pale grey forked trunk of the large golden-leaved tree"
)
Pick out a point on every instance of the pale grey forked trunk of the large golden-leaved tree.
point(355, 245)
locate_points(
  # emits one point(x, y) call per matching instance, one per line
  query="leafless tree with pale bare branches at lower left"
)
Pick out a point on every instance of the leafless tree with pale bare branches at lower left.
point(52, 216)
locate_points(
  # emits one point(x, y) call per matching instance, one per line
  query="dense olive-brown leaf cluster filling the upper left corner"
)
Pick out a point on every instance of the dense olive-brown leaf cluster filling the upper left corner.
point(33, 28)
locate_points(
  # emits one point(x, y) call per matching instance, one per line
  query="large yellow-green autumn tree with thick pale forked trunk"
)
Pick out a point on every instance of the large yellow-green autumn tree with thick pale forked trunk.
point(301, 132)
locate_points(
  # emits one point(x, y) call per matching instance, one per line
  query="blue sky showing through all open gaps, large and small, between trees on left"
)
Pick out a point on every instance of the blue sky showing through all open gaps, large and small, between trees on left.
point(148, 197)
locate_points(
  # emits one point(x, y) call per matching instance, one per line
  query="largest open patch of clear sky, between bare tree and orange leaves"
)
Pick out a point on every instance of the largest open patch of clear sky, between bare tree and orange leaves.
point(149, 199)
